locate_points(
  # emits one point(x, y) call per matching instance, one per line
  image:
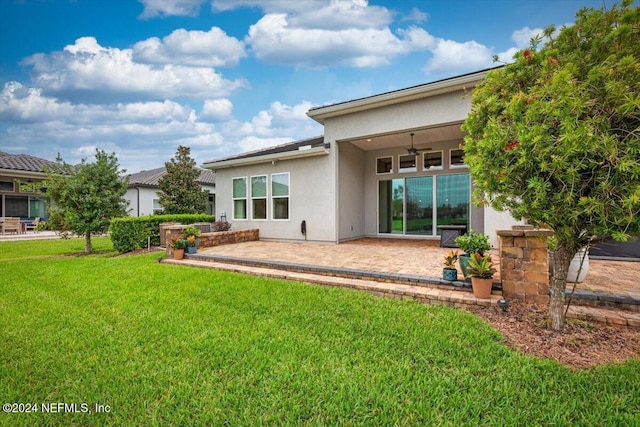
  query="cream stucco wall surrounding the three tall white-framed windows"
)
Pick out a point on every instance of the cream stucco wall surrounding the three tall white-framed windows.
point(311, 198)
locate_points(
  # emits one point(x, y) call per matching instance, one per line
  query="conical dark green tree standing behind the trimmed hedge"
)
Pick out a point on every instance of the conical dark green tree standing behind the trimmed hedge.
point(179, 191)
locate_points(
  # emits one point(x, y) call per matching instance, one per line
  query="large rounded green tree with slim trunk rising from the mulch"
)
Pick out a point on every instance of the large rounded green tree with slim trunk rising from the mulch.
point(554, 137)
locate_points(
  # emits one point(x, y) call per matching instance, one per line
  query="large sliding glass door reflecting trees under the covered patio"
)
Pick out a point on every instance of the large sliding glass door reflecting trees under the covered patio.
point(417, 205)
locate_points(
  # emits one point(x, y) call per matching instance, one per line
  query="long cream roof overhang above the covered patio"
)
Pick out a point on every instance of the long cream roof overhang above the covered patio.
point(320, 114)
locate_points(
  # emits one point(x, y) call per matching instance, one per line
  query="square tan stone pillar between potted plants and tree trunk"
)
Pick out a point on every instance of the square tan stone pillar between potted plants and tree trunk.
point(524, 263)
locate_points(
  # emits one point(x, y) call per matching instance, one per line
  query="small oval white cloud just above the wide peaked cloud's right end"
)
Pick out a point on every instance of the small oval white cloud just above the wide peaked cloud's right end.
point(211, 48)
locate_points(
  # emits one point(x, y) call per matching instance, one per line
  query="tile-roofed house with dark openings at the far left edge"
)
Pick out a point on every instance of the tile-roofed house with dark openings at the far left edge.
point(21, 177)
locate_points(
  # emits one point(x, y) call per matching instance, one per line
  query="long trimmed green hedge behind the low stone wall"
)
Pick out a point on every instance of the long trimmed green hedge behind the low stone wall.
point(131, 233)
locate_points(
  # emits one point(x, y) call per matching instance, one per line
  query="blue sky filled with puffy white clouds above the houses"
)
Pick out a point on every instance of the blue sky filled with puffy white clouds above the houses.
point(139, 78)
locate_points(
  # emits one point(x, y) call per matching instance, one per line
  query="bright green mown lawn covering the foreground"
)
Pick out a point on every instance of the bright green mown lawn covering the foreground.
point(168, 345)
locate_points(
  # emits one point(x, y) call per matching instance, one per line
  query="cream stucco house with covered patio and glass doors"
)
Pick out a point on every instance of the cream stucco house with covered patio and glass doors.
point(360, 179)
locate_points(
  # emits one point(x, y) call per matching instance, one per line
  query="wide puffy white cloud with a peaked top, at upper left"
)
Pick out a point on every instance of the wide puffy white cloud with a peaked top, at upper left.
point(86, 69)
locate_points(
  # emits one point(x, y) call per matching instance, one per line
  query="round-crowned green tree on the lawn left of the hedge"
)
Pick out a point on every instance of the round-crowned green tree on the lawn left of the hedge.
point(85, 197)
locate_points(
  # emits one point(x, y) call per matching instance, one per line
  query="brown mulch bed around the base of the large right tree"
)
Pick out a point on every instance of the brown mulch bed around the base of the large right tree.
point(581, 345)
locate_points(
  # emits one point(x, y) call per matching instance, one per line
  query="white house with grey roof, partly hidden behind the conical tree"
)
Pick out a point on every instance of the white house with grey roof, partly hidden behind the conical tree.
point(142, 193)
